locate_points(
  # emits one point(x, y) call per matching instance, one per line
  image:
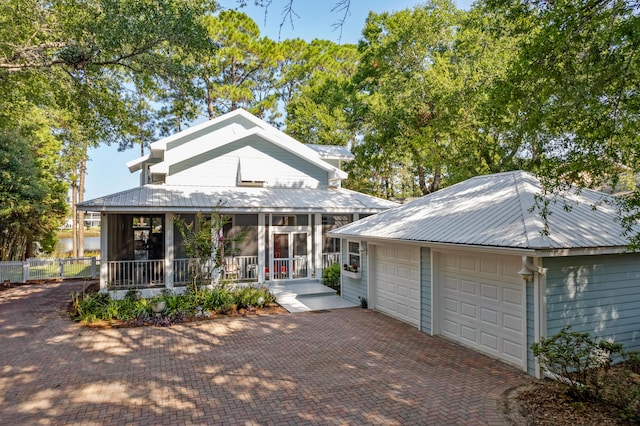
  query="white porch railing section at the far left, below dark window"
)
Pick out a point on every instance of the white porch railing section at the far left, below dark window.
point(135, 273)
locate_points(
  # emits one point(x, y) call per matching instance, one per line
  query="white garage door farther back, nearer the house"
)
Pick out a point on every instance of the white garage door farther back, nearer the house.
point(397, 282)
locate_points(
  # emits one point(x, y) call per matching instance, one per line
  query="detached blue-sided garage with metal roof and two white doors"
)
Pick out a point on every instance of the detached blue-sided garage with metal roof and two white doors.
point(474, 264)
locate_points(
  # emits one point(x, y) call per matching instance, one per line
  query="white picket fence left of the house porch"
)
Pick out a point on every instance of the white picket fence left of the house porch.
point(47, 269)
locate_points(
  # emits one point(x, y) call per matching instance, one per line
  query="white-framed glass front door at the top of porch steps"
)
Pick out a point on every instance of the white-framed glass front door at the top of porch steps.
point(290, 255)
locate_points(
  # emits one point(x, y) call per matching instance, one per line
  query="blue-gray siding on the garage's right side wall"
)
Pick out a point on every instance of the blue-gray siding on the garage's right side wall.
point(595, 294)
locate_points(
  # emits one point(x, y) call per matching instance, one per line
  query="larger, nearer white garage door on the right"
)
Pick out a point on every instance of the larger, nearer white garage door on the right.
point(483, 304)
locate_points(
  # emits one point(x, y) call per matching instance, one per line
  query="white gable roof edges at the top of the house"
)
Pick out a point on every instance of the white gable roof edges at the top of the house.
point(229, 127)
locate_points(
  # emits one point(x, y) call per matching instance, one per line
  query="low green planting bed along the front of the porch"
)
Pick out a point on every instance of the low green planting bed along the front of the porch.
point(91, 307)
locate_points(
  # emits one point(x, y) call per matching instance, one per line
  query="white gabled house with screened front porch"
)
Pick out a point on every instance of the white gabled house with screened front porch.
point(285, 195)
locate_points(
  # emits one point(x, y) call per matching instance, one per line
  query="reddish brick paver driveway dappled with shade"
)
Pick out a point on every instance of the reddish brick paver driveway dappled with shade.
point(347, 366)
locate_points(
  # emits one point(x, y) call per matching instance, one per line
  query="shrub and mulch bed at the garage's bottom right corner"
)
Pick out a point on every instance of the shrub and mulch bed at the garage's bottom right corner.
point(587, 389)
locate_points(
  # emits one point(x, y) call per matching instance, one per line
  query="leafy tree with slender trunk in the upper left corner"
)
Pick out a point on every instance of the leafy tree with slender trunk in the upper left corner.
point(86, 55)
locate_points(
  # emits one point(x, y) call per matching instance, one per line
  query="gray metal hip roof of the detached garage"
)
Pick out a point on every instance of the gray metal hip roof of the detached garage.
point(498, 210)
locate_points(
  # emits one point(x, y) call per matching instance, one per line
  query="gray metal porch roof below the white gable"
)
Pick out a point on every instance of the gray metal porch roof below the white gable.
point(176, 198)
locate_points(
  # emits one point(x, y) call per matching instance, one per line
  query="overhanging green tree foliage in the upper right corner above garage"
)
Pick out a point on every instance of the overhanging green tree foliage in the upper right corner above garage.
point(571, 95)
